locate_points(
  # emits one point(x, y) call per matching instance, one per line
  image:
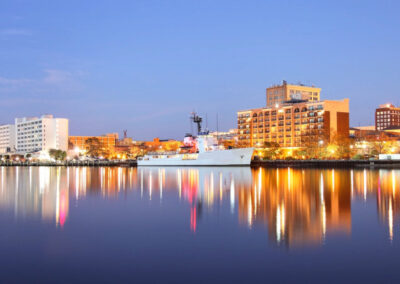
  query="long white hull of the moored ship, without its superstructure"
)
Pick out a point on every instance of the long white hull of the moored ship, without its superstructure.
point(231, 157)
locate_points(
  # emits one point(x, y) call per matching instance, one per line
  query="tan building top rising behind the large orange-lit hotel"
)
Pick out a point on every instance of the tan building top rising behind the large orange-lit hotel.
point(278, 94)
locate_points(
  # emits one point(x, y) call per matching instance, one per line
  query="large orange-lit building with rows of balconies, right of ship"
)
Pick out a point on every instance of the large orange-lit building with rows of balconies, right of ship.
point(294, 123)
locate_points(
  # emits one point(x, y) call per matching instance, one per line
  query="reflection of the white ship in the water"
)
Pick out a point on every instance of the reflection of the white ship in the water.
point(202, 187)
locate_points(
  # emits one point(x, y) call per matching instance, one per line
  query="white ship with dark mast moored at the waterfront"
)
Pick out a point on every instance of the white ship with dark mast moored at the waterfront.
point(206, 153)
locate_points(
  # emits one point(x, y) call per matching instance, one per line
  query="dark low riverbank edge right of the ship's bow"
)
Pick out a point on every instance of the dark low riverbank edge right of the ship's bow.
point(327, 163)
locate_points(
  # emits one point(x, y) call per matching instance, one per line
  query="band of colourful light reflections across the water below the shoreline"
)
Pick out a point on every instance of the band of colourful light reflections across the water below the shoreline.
point(297, 206)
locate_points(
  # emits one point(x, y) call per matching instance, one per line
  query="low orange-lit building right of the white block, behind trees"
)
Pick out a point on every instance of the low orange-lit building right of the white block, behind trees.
point(80, 143)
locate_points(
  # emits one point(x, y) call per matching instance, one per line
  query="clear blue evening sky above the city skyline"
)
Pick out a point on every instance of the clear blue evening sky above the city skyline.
point(144, 66)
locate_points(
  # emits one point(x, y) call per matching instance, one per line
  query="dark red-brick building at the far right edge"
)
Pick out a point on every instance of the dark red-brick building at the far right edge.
point(387, 116)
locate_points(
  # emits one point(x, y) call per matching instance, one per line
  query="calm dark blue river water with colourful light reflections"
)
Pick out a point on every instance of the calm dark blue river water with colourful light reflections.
point(169, 225)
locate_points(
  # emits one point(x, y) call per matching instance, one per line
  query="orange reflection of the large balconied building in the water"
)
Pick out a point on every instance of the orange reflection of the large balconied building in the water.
point(298, 208)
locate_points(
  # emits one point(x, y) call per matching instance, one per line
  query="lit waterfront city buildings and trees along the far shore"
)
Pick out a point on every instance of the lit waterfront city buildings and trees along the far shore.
point(295, 124)
